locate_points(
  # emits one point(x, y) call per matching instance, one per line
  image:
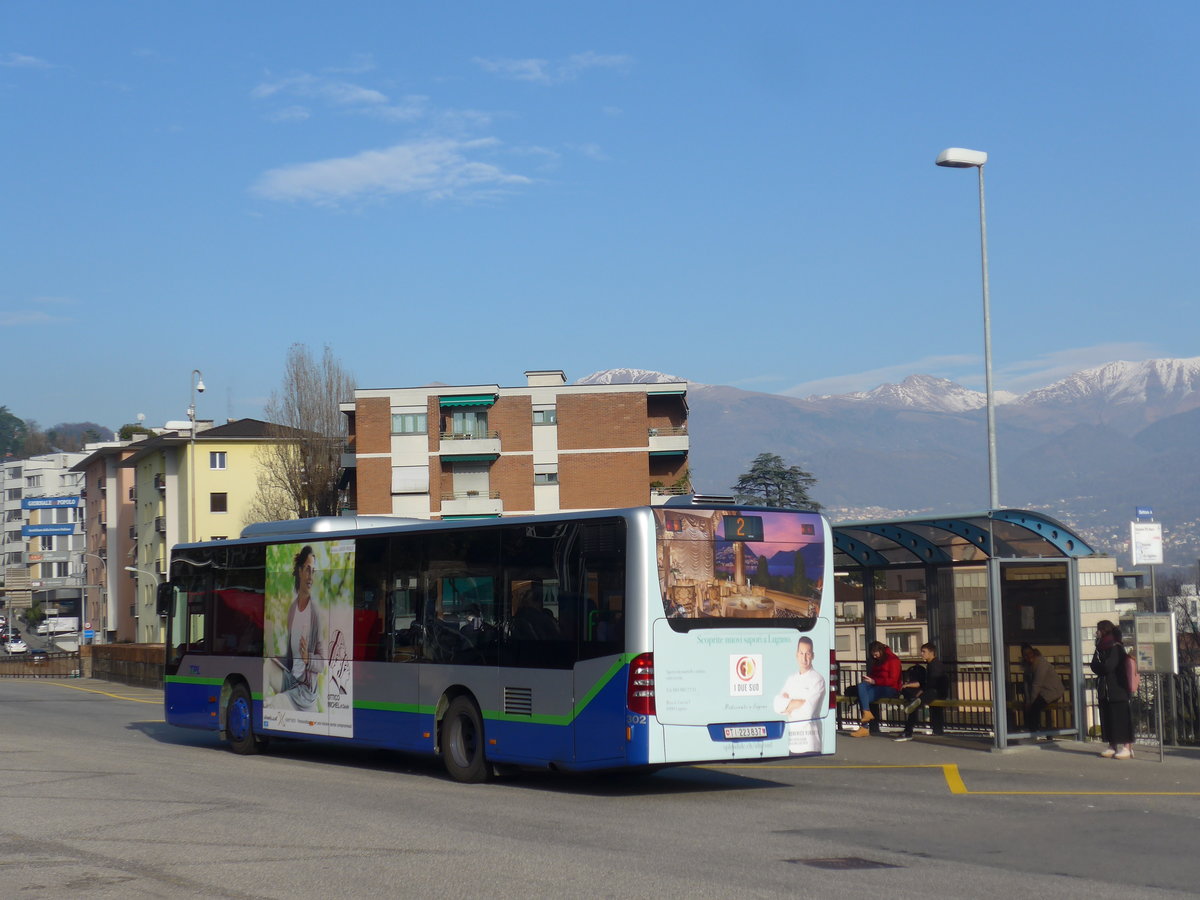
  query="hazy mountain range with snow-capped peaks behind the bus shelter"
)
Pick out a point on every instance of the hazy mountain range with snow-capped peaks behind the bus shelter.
point(1088, 449)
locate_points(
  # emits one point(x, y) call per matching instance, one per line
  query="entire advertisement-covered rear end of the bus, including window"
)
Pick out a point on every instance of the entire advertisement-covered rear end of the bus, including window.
point(742, 651)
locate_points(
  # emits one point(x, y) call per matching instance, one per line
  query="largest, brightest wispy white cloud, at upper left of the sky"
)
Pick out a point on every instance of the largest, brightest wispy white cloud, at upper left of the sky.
point(434, 169)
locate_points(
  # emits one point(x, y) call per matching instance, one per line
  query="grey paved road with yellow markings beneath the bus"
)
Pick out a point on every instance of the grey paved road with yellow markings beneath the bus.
point(103, 800)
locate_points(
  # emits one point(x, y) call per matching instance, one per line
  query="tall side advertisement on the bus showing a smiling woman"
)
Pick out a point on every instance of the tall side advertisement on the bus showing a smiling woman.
point(308, 633)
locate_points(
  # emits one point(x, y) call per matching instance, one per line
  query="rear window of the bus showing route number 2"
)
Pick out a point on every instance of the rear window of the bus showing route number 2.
point(722, 565)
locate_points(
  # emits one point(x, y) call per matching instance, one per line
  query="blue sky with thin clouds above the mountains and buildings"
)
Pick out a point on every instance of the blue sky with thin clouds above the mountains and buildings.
point(737, 195)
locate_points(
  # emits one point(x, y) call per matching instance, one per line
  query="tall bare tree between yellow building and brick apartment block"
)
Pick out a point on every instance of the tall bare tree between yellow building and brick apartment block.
point(301, 466)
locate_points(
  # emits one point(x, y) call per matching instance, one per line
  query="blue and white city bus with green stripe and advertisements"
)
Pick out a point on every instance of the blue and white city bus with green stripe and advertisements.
point(697, 632)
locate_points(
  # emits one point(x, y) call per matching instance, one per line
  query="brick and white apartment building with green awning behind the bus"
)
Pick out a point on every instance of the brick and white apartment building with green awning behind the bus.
point(481, 451)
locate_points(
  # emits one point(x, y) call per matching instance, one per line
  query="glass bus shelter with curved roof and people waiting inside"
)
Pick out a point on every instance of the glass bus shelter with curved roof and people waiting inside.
point(979, 586)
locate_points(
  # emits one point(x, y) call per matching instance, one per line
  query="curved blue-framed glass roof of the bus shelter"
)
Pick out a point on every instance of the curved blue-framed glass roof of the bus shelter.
point(945, 541)
